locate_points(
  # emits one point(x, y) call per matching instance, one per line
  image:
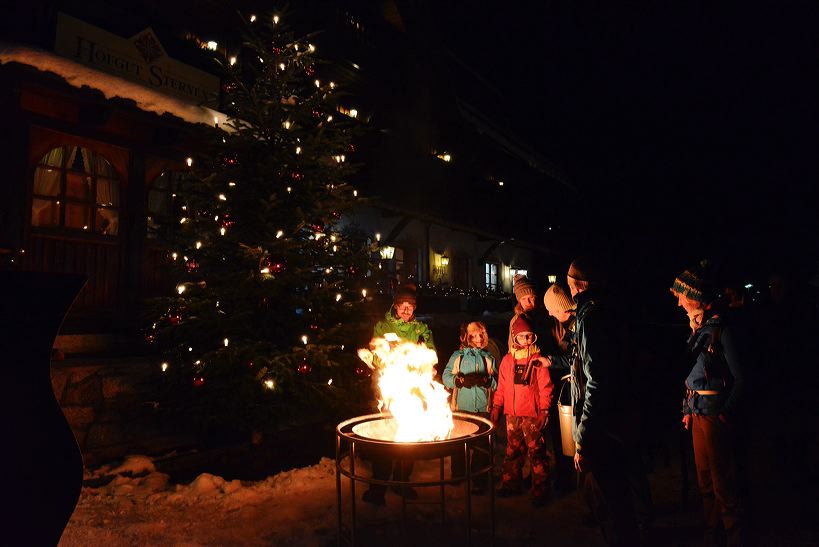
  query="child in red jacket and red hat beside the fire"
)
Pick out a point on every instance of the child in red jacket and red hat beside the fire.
point(524, 395)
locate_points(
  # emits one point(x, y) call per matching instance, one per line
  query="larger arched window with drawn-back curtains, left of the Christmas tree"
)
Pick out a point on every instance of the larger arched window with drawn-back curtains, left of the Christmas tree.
point(75, 189)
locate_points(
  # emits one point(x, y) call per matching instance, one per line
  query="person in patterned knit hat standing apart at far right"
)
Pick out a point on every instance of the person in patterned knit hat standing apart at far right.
point(712, 409)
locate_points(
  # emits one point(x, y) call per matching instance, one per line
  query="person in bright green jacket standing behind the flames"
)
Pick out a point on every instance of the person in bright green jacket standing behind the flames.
point(399, 320)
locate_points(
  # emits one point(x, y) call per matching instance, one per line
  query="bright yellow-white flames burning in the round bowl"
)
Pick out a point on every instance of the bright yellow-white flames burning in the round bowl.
point(417, 403)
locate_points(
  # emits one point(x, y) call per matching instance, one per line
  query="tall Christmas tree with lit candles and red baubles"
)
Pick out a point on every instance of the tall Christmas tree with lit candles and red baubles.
point(269, 285)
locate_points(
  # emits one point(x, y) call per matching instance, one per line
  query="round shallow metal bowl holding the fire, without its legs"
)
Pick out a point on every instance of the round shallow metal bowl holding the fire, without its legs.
point(373, 432)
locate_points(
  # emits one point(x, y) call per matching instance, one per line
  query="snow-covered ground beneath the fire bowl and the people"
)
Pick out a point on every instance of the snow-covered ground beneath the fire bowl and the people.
point(133, 504)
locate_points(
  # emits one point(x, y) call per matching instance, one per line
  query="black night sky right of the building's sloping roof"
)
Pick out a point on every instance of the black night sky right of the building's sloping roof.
point(689, 128)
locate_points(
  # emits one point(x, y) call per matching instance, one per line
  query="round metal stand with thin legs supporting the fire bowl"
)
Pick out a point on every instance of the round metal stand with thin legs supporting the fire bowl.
point(350, 445)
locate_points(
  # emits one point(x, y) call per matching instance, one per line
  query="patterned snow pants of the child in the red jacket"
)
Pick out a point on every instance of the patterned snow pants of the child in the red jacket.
point(523, 437)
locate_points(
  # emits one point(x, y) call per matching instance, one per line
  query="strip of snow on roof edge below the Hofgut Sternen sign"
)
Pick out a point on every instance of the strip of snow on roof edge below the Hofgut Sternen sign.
point(111, 86)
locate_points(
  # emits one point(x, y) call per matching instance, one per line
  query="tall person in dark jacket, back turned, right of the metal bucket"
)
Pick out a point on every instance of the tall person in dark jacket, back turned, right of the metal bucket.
point(604, 431)
